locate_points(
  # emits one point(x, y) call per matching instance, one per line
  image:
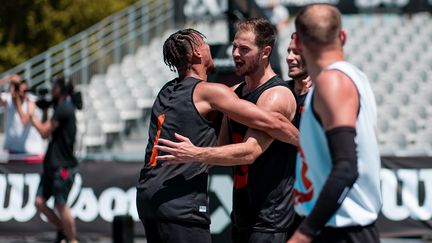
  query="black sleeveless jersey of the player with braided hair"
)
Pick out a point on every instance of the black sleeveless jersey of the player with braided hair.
point(175, 192)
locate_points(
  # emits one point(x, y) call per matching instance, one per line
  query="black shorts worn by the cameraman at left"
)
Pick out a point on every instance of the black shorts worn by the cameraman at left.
point(57, 183)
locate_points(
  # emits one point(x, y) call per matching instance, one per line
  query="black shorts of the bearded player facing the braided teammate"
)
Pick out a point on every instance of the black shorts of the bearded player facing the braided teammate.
point(247, 236)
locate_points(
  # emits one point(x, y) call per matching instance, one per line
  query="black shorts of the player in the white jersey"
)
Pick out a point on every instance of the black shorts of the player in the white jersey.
point(355, 234)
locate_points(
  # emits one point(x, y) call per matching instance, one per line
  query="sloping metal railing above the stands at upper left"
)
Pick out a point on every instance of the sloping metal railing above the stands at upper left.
point(92, 50)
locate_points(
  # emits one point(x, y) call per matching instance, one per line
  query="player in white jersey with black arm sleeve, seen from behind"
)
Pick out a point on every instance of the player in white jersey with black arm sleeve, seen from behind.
point(337, 186)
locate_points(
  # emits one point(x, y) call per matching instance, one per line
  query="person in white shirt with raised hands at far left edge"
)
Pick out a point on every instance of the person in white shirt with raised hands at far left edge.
point(22, 140)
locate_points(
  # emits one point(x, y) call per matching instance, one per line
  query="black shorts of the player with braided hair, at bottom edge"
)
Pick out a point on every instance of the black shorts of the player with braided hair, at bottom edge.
point(161, 231)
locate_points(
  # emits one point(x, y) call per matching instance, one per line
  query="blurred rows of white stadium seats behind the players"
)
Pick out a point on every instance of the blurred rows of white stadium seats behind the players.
point(393, 50)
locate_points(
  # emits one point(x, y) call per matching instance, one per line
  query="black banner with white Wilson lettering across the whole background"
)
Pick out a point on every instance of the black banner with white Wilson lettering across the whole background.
point(105, 189)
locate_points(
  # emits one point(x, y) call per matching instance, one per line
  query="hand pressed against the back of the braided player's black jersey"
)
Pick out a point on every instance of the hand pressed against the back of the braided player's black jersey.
point(179, 152)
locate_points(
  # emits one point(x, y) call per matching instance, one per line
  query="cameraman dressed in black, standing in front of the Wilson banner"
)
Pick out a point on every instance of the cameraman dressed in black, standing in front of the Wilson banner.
point(60, 164)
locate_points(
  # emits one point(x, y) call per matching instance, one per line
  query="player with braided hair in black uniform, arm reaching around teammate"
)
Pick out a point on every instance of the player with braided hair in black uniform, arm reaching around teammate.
point(172, 200)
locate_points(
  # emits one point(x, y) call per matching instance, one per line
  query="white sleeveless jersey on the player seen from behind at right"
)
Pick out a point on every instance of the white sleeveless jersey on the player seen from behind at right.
point(363, 202)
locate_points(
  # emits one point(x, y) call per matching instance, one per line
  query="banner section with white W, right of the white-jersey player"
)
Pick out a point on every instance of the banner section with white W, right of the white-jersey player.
point(406, 185)
